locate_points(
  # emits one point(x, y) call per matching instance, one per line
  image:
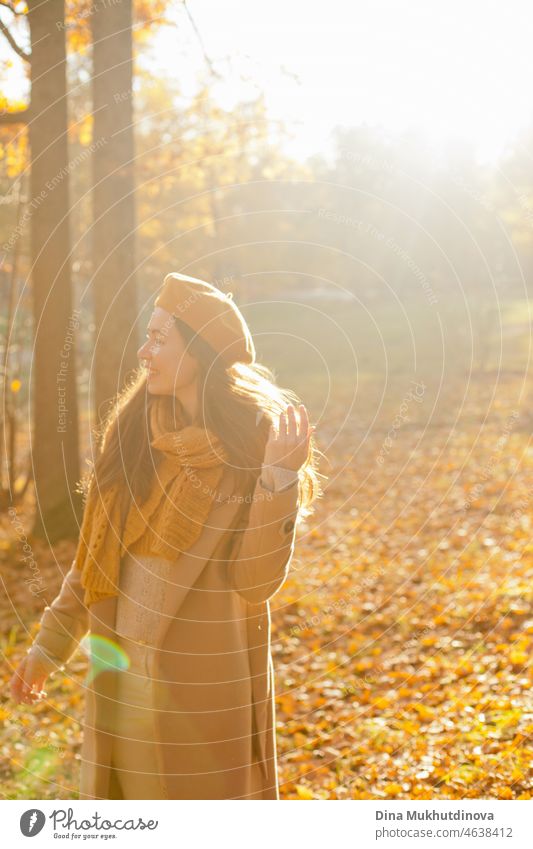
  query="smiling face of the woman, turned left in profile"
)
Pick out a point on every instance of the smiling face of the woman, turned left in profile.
point(170, 367)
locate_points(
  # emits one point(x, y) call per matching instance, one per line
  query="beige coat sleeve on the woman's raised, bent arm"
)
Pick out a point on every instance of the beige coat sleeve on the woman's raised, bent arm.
point(264, 543)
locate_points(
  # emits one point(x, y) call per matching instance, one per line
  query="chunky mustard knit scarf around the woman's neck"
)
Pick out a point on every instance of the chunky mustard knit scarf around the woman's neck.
point(189, 464)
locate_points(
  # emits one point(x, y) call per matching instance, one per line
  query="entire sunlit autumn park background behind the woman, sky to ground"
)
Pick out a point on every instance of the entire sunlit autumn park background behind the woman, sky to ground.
point(360, 177)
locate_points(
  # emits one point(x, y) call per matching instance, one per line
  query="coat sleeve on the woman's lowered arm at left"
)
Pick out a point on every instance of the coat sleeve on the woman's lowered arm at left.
point(65, 622)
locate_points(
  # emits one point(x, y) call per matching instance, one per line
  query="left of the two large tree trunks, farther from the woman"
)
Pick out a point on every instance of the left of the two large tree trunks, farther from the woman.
point(55, 449)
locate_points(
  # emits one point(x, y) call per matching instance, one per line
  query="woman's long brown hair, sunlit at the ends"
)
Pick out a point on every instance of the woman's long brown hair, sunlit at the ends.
point(237, 403)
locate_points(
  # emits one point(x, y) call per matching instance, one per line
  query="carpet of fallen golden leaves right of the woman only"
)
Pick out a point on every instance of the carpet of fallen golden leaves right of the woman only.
point(403, 666)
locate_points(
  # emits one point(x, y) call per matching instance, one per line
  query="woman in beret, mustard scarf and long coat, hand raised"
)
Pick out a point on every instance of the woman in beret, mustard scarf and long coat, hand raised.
point(203, 470)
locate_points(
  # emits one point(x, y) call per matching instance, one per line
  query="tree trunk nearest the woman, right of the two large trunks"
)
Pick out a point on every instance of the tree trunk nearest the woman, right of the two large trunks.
point(115, 293)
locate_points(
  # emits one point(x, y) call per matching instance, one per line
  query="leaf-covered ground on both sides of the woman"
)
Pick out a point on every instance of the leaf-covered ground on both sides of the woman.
point(402, 639)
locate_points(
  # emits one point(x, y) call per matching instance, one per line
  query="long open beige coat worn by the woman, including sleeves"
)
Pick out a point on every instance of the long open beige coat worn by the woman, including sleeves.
point(213, 680)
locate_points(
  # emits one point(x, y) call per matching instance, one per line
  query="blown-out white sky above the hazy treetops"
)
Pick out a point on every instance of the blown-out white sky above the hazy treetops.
point(452, 70)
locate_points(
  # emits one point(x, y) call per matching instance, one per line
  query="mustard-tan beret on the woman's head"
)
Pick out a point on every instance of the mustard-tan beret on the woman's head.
point(211, 313)
